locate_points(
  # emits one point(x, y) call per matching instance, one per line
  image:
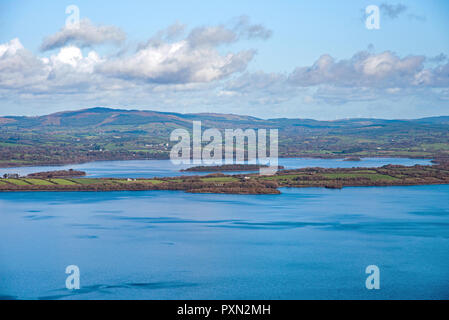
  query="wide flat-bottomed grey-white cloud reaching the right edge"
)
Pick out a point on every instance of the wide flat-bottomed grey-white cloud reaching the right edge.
point(366, 69)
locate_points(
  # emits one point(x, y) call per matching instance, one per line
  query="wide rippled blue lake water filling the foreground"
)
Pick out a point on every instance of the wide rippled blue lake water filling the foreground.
point(311, 243)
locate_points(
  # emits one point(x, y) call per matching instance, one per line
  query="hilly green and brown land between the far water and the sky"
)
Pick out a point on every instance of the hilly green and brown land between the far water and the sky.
point(112, 134)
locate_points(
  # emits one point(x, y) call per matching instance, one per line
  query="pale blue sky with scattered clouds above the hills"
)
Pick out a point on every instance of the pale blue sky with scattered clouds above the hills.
point(287, 58)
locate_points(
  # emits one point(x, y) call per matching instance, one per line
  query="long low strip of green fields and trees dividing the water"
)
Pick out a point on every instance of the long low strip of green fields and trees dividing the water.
point(331, 178)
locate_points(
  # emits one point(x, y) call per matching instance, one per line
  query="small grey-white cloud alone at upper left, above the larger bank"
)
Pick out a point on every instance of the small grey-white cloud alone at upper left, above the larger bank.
point(86, 35)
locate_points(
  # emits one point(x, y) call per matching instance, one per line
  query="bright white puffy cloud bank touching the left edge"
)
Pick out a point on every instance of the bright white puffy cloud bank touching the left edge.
point(66, 72)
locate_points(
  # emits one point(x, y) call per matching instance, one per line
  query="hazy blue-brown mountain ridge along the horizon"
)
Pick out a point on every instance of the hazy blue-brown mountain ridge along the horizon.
point(106, 117)
